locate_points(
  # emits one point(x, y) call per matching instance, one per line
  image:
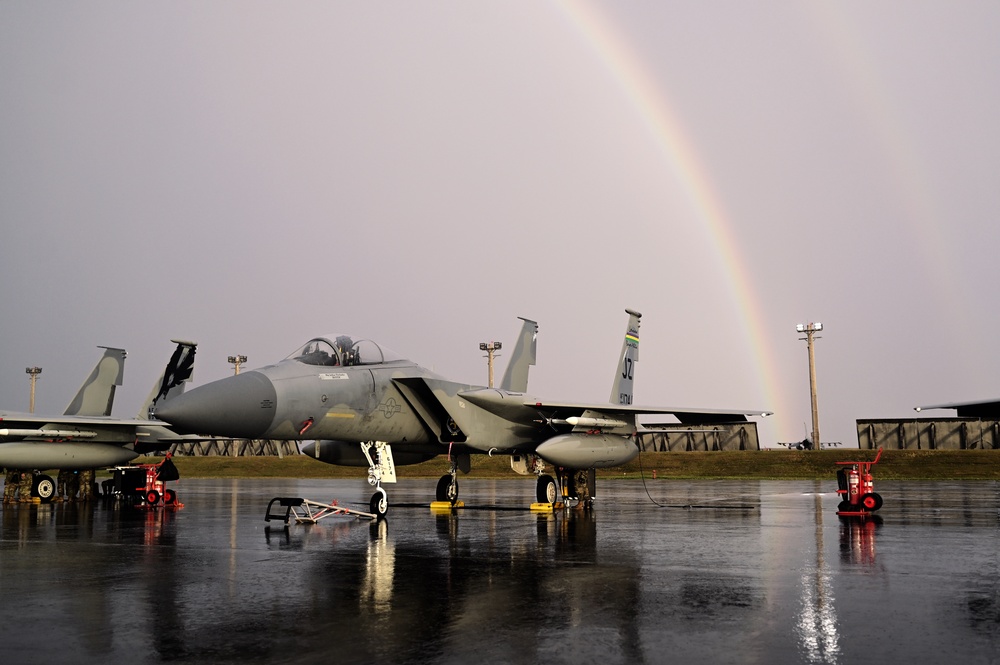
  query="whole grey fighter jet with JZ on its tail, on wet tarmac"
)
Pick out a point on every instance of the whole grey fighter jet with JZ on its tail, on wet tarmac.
point(364, 405)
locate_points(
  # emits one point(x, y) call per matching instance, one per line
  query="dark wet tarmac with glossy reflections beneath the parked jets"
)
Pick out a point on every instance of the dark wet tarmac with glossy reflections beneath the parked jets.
point(727, 571)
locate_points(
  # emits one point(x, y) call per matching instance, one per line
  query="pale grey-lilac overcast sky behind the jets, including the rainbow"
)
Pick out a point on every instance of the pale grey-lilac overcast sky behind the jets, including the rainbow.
point(250, 174)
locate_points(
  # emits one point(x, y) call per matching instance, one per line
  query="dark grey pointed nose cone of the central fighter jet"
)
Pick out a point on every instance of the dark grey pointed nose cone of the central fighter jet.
point(241, 407)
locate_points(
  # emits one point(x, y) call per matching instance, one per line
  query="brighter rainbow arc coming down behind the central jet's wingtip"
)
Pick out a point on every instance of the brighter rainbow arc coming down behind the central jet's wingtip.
point(653, 107)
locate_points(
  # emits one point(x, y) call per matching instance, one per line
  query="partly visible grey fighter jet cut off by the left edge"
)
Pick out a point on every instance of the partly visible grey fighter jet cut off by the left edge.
point(86, 436)
